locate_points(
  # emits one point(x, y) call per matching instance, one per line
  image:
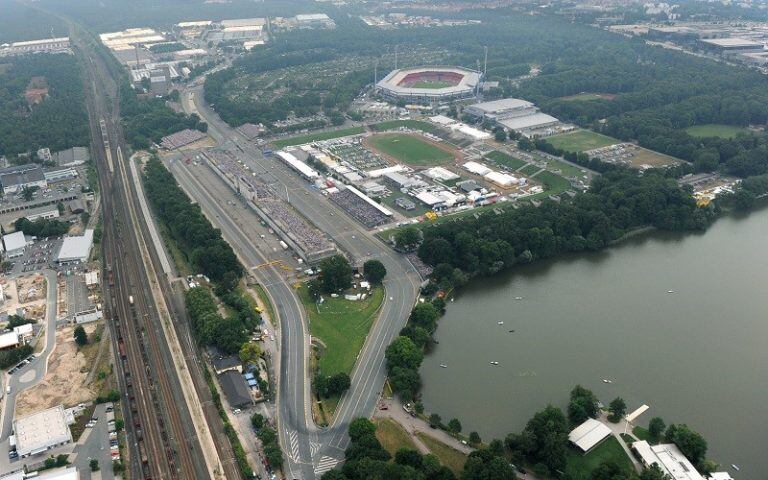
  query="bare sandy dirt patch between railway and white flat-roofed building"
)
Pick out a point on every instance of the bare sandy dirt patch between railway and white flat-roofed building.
point(64, 383)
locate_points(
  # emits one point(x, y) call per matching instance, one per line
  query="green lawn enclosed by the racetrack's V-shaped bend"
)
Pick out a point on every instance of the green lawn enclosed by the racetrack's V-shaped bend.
point(342, 326)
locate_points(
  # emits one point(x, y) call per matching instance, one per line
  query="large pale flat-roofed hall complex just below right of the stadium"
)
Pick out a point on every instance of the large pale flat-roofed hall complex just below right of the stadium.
point(513, 114)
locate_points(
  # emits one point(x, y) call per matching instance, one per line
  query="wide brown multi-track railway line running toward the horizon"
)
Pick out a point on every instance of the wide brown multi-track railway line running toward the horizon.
point(162, 440)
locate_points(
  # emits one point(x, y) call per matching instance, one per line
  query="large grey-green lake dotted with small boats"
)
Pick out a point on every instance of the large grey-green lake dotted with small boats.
point(698, 355)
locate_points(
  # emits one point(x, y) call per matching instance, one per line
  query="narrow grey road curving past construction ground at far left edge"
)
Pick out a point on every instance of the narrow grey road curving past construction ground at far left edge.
point(30, 375)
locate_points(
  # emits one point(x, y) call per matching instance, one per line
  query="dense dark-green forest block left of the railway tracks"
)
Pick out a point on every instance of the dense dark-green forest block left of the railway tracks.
point(59, 122)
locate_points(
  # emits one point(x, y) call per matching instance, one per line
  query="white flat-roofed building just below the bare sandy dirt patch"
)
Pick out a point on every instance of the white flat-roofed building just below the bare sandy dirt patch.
point(41, 431)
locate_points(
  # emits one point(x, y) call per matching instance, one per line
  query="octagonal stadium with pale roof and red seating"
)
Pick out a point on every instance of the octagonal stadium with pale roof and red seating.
point(429, 84)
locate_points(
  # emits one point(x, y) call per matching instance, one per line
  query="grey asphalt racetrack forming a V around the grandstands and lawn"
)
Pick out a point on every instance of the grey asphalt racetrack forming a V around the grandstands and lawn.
point(311, 451)
